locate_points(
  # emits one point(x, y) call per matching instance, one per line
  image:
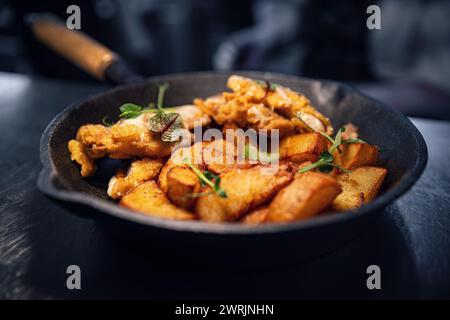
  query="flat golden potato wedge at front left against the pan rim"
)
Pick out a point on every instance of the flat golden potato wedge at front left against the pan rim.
point(148, 199)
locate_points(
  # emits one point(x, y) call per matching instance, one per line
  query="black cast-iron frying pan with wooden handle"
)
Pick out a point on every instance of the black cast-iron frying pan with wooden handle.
point(404, 153)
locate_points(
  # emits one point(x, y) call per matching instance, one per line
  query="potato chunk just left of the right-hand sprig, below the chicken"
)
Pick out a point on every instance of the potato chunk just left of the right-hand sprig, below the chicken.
point(302, 147)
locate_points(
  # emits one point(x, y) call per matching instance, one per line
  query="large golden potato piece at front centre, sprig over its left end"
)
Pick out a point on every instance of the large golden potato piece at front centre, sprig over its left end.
point(246, 189)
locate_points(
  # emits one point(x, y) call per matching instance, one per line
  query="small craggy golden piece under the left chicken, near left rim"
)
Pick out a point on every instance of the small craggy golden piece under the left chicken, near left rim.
point(139, 171)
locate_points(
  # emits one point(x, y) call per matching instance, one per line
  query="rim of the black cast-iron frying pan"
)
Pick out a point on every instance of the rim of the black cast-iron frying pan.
point(48, 173)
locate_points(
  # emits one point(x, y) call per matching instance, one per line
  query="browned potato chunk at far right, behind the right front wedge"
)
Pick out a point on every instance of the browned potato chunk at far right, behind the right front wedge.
point(356, 155)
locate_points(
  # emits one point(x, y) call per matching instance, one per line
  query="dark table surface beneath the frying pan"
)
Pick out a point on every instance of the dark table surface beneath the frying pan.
point(39, 238)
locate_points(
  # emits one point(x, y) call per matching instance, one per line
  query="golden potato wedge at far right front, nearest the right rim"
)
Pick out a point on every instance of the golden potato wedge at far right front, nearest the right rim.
point(360, 186)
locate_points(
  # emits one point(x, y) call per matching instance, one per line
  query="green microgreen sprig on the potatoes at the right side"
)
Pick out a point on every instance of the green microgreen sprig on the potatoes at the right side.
point(325, 162)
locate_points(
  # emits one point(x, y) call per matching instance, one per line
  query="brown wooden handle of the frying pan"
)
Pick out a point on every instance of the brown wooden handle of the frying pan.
point(75, 46)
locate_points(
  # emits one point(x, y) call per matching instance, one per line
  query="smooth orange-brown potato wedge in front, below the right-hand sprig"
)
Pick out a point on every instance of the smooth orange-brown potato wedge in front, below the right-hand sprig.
point(306, 196)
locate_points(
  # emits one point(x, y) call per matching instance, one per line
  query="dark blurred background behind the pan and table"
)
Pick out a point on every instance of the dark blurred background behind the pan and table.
point(406, 63)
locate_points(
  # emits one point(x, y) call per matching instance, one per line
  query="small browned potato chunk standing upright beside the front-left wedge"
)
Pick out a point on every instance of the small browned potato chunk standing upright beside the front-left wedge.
point(182, 182)
